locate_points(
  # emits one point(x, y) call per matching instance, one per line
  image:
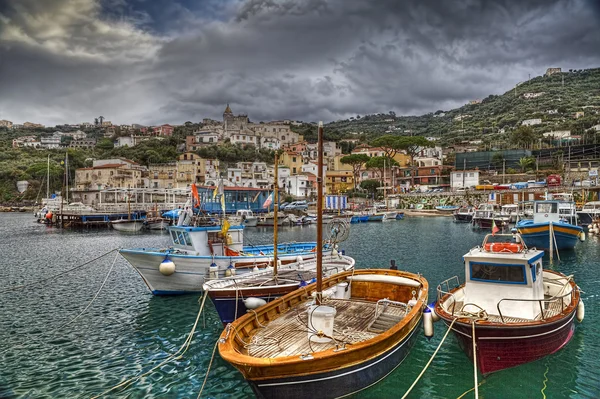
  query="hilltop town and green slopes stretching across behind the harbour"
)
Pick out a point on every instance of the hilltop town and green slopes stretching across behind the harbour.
point(530, 133)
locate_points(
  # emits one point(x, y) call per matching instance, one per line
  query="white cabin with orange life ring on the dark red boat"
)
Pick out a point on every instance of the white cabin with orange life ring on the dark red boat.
point(502, 276)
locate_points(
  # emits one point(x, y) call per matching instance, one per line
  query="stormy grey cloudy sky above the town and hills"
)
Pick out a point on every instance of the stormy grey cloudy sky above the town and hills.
point(170, 61)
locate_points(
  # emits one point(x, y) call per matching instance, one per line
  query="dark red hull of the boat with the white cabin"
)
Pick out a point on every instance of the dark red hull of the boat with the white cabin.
point(503, 346)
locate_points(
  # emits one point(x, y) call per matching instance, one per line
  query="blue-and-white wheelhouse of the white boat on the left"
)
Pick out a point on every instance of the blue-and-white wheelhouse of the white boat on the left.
point(207, 240)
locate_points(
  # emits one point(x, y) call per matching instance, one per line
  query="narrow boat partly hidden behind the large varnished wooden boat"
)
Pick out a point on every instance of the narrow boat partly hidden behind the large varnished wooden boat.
point(234, 296)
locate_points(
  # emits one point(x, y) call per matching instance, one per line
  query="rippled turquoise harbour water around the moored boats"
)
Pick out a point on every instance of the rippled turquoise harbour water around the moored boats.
point(127, 331)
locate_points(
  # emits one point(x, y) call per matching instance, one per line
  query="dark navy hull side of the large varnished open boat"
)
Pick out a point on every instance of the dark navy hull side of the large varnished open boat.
point(346, 380)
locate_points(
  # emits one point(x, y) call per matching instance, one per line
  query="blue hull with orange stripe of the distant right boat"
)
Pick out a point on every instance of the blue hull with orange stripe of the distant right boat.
point(538, 234)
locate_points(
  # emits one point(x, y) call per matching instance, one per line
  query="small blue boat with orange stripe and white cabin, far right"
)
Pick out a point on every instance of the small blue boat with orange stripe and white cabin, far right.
point(547, 223)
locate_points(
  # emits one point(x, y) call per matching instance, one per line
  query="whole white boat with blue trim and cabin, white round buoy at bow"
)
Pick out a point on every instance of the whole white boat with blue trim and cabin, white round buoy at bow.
point(197, 253)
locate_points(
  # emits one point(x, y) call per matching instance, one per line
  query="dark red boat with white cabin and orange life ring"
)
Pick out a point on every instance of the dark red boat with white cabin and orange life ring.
point(519, 311)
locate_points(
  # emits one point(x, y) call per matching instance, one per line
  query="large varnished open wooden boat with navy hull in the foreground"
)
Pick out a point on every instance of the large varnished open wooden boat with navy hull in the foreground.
point(375, 325)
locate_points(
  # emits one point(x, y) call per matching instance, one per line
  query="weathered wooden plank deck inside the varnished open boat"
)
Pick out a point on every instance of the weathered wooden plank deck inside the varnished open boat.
point(354, 322)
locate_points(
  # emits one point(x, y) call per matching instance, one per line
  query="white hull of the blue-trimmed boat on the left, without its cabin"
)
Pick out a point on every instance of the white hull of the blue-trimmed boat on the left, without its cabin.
point(191, 271)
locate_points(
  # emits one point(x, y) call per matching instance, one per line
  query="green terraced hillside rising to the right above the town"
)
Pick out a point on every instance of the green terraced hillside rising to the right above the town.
point(556, 107)
